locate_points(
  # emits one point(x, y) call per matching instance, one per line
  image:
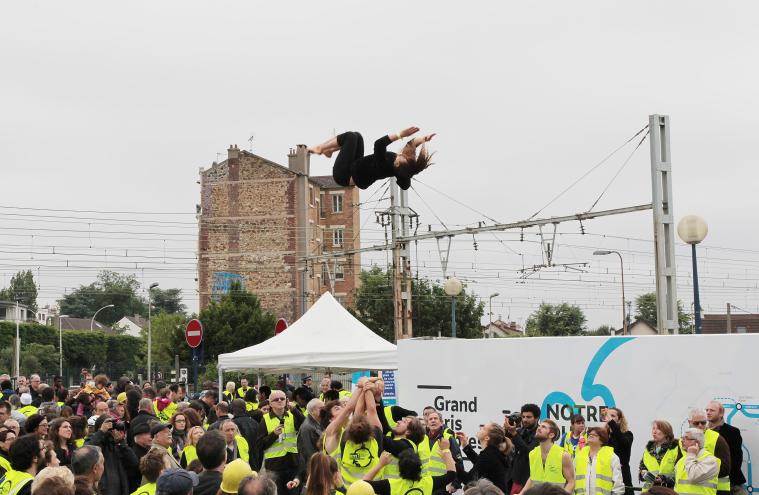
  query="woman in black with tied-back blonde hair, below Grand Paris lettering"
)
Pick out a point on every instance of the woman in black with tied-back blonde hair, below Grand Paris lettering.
point(491, 463)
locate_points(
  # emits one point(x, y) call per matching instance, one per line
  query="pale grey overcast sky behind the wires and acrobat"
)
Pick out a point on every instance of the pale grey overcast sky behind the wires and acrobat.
point(113, 108)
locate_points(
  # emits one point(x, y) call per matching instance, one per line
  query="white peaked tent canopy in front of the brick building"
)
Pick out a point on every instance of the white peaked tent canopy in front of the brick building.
point(327, 336)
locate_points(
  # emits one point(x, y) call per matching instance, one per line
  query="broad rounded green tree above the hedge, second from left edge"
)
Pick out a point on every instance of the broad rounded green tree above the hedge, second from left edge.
point(109, 288)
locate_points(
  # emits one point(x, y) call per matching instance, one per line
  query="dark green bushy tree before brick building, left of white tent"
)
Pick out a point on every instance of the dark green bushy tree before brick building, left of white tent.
point(234, 322)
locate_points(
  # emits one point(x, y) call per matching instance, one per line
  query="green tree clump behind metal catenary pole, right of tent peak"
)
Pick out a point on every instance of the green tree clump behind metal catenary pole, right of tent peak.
point(373, 306)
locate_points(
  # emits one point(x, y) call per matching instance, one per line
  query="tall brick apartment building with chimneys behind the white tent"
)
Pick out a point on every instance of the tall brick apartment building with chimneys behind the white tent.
point(257, 219)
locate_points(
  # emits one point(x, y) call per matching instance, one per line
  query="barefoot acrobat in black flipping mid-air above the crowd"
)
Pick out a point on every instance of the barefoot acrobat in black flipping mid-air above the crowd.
point(352, 166)
